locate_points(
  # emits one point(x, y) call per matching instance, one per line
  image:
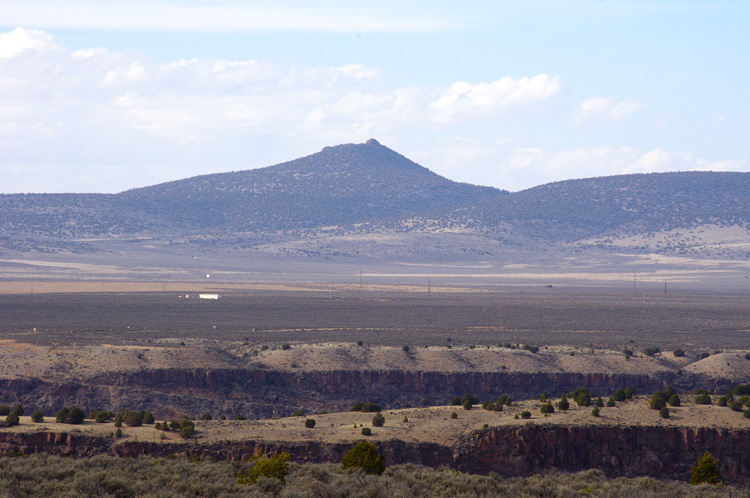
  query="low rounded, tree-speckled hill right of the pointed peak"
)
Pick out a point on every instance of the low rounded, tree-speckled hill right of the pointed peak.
point(638, 202)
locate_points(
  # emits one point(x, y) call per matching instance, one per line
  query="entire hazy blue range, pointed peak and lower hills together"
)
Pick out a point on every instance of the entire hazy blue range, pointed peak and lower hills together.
point(336, 201)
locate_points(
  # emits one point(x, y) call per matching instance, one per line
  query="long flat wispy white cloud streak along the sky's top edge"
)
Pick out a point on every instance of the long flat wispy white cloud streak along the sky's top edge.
point(222, 16)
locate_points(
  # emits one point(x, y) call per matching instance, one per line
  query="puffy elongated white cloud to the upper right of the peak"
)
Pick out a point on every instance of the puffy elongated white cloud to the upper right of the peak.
point(464, 100)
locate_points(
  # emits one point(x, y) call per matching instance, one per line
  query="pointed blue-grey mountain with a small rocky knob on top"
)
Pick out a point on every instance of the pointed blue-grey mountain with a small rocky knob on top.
point(346, 184)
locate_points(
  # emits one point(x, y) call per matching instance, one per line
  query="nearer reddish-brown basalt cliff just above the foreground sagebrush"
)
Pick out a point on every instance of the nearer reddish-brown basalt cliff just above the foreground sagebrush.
point(663, 452)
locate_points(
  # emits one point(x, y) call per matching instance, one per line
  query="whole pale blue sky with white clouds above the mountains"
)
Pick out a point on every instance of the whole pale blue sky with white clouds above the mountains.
point(105, 96)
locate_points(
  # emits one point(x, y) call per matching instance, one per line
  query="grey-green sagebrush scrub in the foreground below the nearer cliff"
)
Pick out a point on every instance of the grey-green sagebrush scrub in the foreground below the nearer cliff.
point(104, 476)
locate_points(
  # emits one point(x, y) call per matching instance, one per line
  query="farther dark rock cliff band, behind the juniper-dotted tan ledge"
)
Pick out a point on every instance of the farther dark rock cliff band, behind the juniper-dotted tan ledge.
point(264, 393)
